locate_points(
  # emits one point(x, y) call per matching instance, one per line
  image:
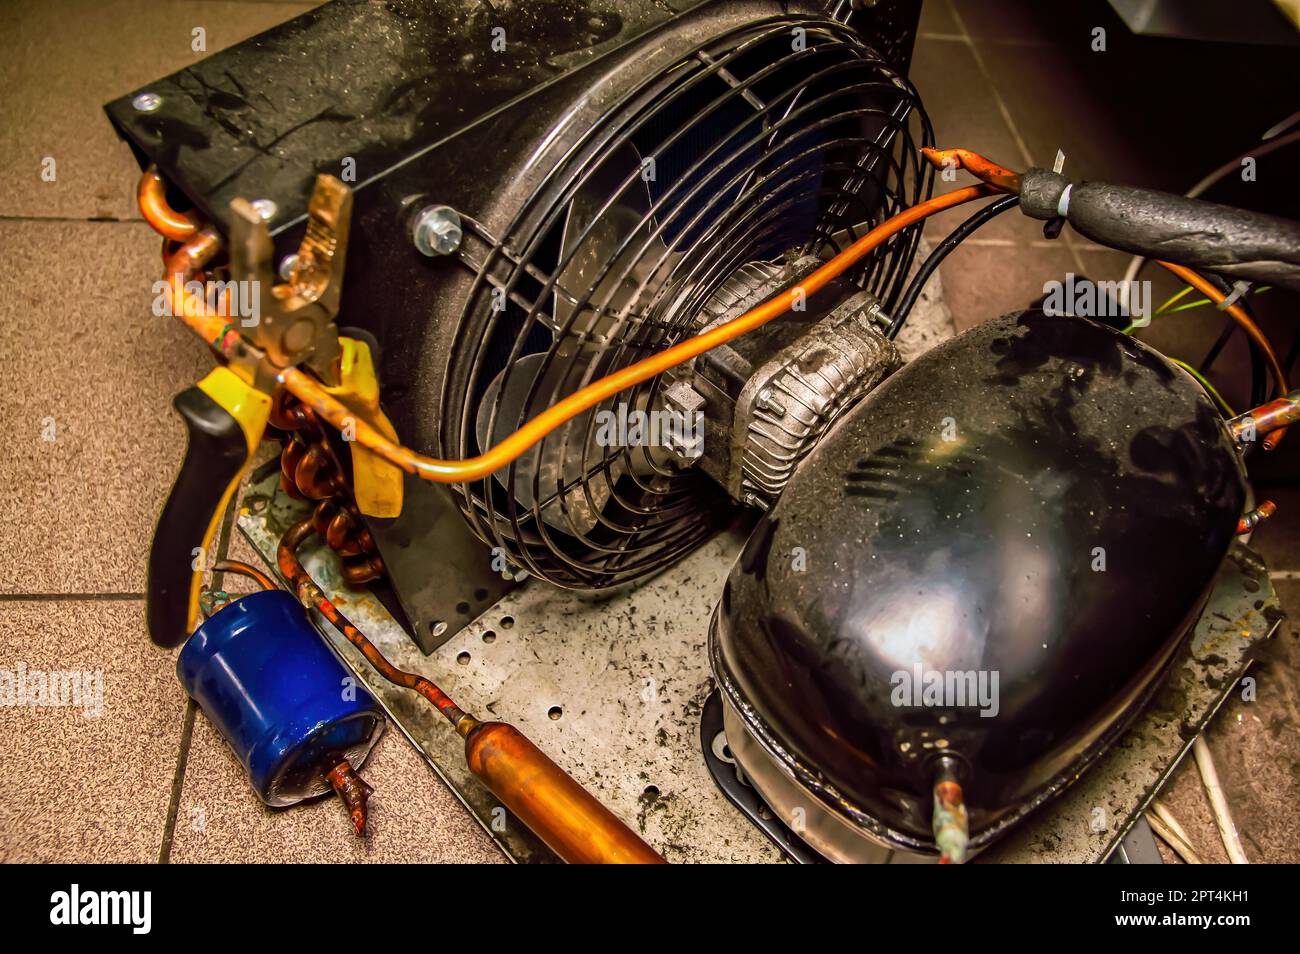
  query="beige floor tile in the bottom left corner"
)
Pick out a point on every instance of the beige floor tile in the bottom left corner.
point(84, 788)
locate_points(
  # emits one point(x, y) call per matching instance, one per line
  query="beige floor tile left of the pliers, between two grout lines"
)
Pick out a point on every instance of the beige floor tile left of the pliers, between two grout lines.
point(88, 363)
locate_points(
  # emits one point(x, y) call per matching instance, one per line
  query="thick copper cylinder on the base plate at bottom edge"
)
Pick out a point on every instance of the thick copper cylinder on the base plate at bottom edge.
point(545, 797)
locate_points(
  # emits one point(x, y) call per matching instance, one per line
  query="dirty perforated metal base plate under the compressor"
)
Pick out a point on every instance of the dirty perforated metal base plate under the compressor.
point(613, 688)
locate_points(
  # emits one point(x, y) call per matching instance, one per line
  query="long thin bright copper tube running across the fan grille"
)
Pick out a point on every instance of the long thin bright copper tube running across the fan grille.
point(226, 339)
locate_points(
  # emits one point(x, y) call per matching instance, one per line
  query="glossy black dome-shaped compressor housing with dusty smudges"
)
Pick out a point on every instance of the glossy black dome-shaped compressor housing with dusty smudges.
point(994, 560)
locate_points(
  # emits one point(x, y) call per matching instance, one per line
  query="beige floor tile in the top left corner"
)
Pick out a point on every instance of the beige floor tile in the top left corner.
point(63, 60)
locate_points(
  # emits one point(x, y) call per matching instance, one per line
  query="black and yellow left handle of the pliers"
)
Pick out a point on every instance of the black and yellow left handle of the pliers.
point(215, 458)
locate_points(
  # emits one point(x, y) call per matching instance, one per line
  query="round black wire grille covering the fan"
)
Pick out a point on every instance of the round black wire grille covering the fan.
point(786, 138)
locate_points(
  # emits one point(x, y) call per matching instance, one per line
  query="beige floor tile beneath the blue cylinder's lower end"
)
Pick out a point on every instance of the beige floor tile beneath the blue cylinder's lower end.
point(414, 816)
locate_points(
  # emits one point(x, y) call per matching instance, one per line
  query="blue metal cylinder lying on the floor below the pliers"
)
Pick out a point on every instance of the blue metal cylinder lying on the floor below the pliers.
point(280, 697)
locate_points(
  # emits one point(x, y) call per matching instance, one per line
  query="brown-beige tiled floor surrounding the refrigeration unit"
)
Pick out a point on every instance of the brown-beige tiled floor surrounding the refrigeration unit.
point(93, 445)
